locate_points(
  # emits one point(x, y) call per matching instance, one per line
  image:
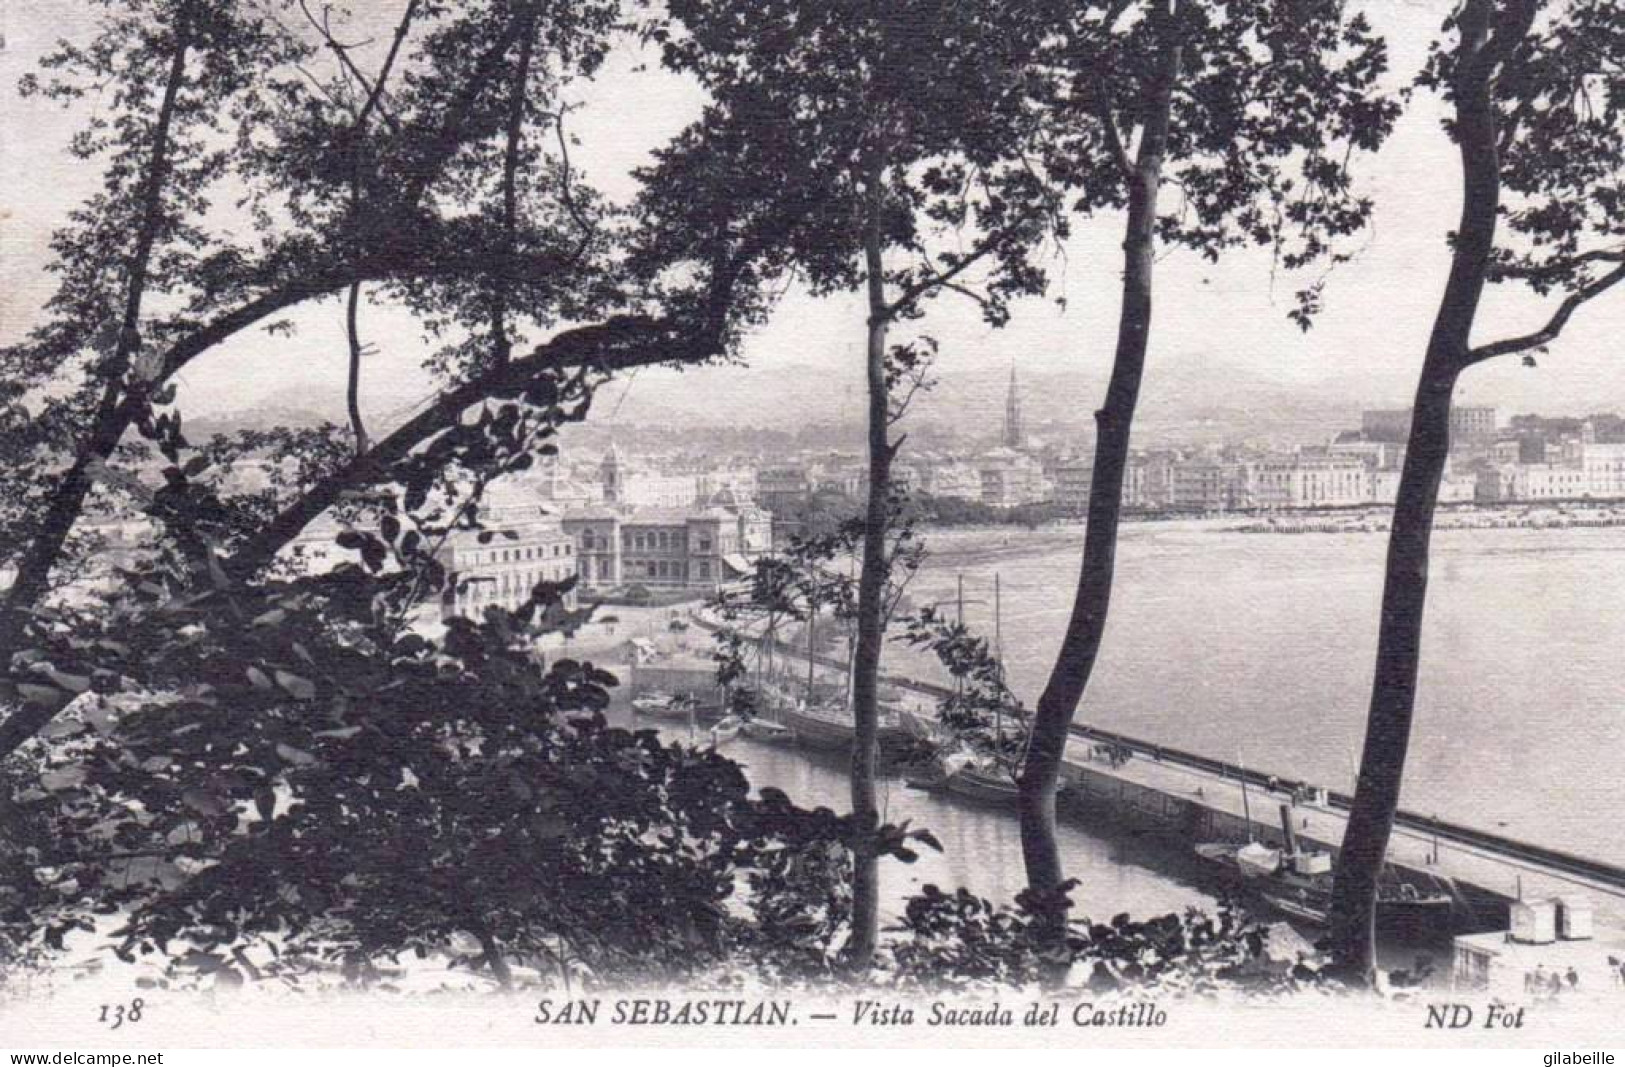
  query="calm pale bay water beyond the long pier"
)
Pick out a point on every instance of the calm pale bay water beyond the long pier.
point(1260, 649)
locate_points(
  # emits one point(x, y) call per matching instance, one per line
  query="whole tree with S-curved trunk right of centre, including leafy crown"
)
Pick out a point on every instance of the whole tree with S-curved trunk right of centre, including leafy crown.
point(1252, 113)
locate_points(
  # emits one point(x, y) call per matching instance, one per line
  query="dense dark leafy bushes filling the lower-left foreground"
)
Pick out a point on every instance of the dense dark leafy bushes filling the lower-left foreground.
point(264, 782)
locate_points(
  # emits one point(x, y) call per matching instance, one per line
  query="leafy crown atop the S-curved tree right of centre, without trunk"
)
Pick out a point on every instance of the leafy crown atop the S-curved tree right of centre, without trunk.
point(1275, 98)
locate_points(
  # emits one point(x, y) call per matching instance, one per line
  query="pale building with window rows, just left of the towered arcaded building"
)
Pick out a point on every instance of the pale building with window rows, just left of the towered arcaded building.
point(527, 546)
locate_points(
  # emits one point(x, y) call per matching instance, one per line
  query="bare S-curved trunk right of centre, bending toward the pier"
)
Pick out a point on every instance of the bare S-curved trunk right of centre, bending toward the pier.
point(1114, 423)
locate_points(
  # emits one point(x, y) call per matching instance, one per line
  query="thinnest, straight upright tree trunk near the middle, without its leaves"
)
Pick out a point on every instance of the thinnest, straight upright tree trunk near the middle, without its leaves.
point(872, 624)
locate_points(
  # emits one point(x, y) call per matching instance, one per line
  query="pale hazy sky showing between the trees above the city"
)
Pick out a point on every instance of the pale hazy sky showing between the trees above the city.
point(1221, 339)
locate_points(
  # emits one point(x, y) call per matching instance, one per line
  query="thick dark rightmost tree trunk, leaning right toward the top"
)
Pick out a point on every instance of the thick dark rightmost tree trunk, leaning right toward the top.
point(1428, 451)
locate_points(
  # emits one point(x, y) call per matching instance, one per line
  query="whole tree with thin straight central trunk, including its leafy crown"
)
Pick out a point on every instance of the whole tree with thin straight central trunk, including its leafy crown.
point(886, 127)
